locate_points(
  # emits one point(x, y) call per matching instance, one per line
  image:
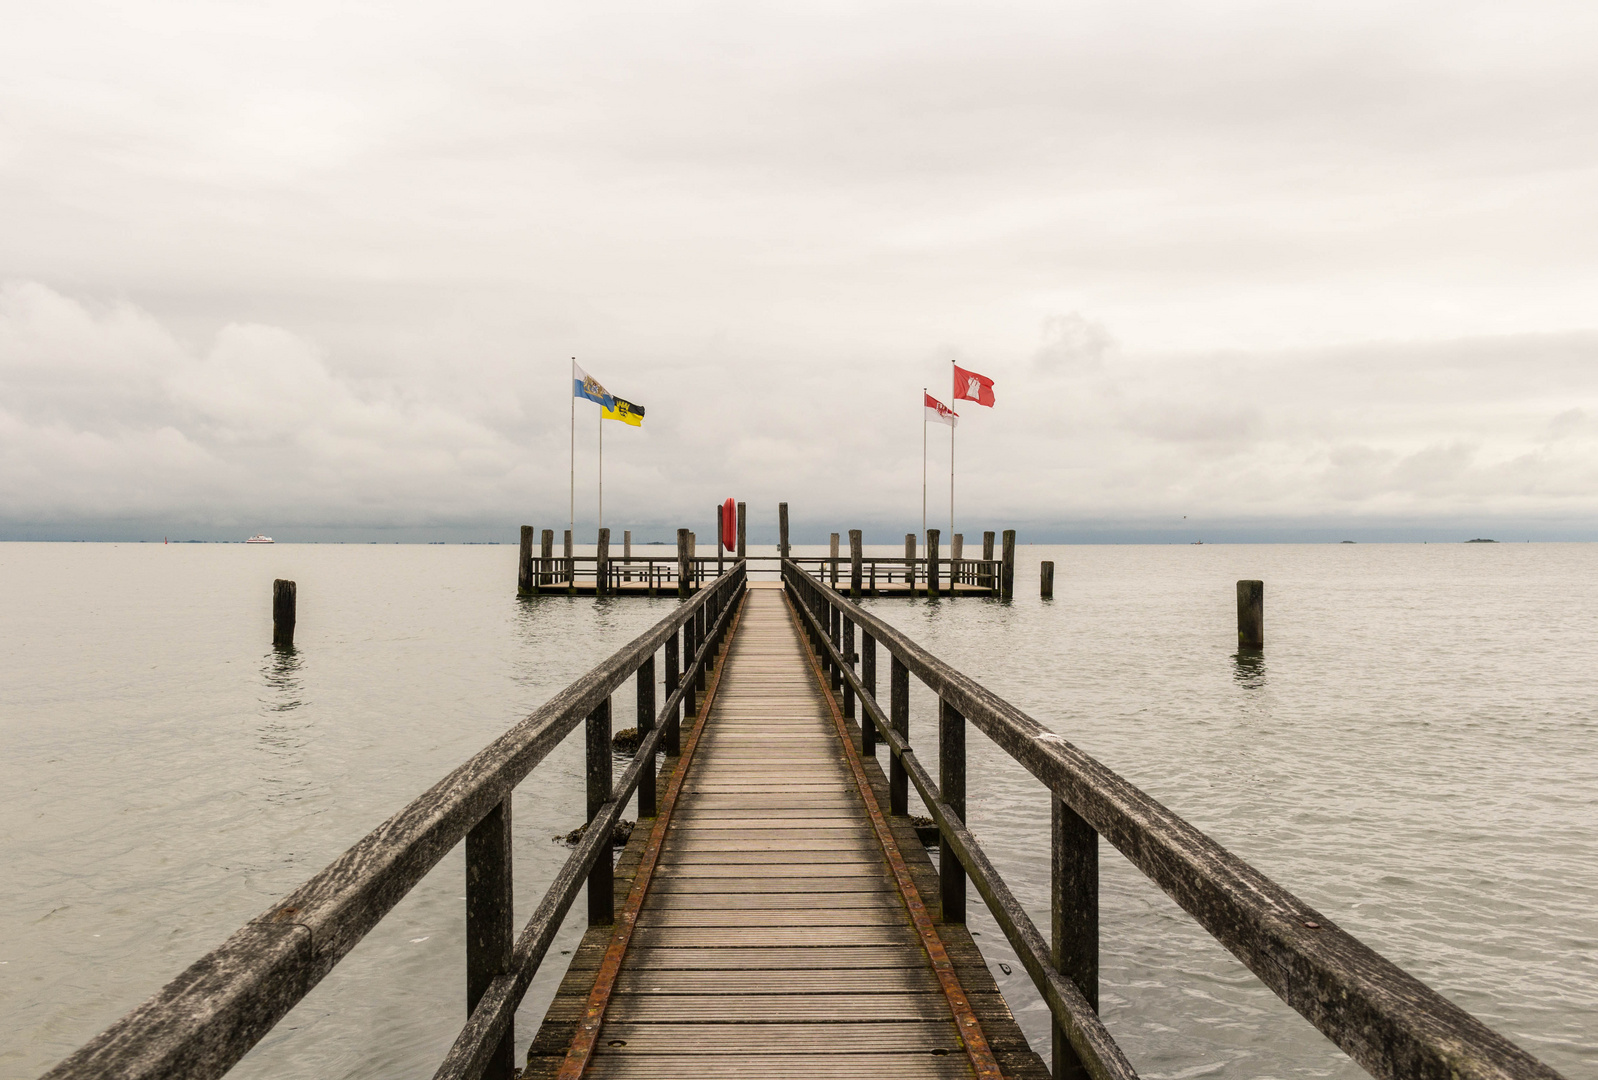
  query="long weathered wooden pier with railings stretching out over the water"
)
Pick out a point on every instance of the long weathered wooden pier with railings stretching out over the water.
point(777, 915)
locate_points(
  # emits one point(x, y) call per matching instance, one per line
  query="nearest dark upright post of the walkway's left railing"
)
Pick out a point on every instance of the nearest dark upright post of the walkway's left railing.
point(491, 926)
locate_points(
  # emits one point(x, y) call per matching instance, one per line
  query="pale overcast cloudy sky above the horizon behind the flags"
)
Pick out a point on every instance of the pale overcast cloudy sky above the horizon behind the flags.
point(320, 268)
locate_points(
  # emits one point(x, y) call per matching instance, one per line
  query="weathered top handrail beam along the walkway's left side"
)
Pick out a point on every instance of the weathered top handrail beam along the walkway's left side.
point(207, 1018)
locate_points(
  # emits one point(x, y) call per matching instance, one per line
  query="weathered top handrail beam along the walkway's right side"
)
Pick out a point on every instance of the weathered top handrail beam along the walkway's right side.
point(1385, 1018)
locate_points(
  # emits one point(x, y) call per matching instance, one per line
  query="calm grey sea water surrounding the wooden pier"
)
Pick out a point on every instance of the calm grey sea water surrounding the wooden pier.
point(1417, 756)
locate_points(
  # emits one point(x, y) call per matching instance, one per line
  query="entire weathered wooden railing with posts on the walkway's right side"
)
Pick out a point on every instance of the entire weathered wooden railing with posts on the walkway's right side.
point(1386, 1020)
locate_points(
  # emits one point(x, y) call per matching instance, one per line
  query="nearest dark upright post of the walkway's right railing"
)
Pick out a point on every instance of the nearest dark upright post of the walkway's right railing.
point(1075, 919)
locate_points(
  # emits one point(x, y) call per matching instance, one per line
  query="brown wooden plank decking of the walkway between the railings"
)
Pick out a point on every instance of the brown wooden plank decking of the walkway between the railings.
point(773, 939)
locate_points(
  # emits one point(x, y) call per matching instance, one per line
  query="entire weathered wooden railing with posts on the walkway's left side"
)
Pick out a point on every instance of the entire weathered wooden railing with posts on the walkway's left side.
point(205, 1020)
